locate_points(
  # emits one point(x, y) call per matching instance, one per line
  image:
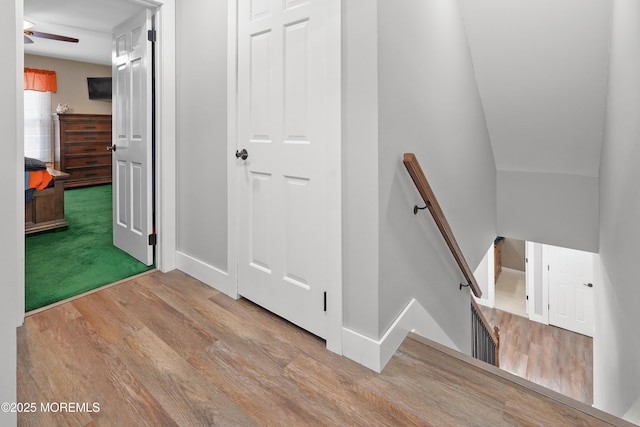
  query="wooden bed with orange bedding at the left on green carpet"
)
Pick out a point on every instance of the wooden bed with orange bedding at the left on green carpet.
point(44, 208)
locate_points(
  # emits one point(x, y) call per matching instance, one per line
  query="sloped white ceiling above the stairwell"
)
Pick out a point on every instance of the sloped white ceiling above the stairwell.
point(541, 69)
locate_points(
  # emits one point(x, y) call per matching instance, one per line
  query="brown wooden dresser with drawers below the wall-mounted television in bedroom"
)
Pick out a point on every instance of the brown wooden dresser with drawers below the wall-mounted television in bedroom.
point(81, 143)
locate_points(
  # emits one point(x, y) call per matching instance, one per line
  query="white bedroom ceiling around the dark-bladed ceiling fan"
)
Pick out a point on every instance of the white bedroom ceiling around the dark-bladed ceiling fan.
point(90, 21)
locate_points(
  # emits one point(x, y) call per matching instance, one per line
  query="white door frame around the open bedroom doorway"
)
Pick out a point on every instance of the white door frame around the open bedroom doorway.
point(165, 12)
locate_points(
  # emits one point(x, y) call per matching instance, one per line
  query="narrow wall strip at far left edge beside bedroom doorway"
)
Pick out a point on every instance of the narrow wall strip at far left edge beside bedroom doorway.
point(12, 211)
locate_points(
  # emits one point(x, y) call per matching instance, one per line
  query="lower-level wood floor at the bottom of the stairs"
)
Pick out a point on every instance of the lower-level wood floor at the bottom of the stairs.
point(552, 357)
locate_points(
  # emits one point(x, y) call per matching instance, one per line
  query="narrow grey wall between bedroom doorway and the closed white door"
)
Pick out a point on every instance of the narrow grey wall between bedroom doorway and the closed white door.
point(202, 139)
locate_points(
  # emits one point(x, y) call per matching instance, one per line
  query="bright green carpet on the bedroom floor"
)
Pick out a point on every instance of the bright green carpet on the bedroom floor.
point(64, 263)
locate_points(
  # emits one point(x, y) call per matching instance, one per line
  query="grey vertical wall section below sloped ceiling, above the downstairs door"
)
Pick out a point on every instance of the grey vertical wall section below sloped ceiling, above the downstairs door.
point(556, 209)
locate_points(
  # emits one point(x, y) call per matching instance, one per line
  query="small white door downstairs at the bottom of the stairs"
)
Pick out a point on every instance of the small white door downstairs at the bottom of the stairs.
point(571, 289)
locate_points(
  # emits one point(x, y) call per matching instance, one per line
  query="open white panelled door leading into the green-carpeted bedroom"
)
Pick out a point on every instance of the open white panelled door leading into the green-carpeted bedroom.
point(132, 144)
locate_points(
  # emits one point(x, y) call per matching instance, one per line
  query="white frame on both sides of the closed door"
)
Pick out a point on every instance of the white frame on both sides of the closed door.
point(333, 174)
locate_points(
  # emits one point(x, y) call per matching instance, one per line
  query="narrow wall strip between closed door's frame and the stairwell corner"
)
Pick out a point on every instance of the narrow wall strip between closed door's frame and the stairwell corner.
point(360, 166)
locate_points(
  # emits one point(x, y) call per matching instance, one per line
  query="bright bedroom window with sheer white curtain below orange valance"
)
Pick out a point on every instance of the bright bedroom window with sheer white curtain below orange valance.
point(37, 125)
